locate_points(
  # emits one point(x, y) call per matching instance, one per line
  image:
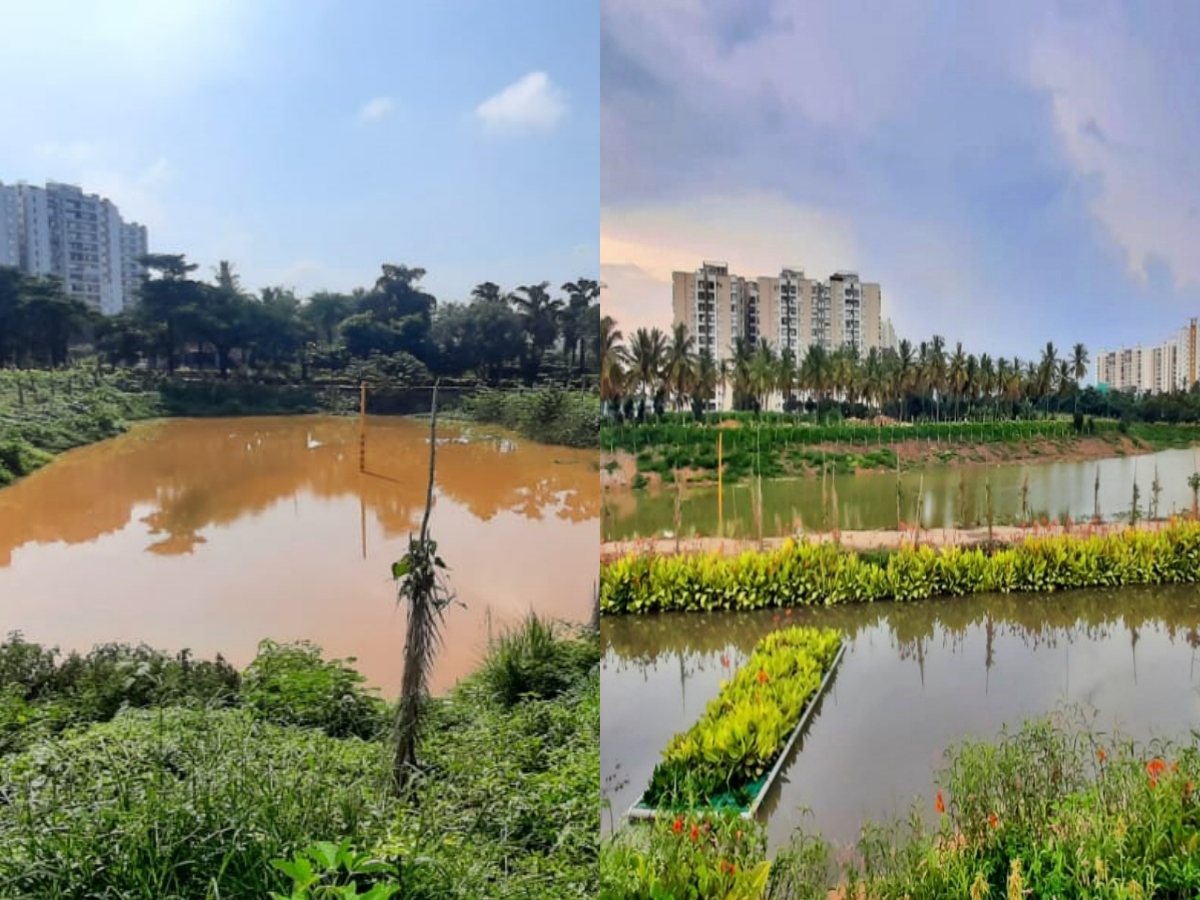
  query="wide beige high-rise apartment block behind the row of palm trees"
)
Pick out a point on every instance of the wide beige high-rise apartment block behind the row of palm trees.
point(787, 311)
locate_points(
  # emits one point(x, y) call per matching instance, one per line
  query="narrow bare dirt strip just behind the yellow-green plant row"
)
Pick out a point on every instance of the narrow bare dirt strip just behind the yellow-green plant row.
point(871, 541)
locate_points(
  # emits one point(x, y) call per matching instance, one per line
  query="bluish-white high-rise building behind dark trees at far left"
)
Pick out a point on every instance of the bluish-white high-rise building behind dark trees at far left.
point(77, 238)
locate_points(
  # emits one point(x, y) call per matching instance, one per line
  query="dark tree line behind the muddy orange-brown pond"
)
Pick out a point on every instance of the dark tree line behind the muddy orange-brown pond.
point(395, 326)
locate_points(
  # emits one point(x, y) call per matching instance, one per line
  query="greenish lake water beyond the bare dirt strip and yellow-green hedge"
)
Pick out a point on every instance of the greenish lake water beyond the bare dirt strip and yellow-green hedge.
point(868, 500)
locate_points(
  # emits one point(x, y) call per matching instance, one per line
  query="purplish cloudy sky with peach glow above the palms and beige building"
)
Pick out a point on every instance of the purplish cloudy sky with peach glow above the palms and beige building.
point(1010, 173)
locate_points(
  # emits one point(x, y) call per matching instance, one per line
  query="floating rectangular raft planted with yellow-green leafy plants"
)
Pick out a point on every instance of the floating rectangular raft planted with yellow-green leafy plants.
point(730, 759)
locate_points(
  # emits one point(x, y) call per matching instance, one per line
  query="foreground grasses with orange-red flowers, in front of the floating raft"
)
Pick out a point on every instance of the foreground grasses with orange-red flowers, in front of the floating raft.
point(1054, 811)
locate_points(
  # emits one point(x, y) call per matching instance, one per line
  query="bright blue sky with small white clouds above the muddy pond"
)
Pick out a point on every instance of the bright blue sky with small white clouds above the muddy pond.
point(309, 142)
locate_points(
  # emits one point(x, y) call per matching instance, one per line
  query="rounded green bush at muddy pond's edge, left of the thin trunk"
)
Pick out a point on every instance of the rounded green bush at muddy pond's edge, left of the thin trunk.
point(291, 685)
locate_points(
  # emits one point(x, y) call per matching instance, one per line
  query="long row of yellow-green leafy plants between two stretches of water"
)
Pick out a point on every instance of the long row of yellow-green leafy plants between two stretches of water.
point(824, 574)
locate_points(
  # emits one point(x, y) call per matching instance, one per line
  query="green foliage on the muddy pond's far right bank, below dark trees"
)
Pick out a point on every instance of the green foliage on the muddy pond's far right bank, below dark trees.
point(548, 416)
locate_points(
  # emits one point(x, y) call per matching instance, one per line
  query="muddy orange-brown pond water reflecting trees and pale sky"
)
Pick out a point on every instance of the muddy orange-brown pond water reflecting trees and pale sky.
point(213, 535)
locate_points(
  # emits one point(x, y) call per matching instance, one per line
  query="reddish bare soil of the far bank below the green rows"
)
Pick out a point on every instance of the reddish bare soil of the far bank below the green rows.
point(619, 471)
